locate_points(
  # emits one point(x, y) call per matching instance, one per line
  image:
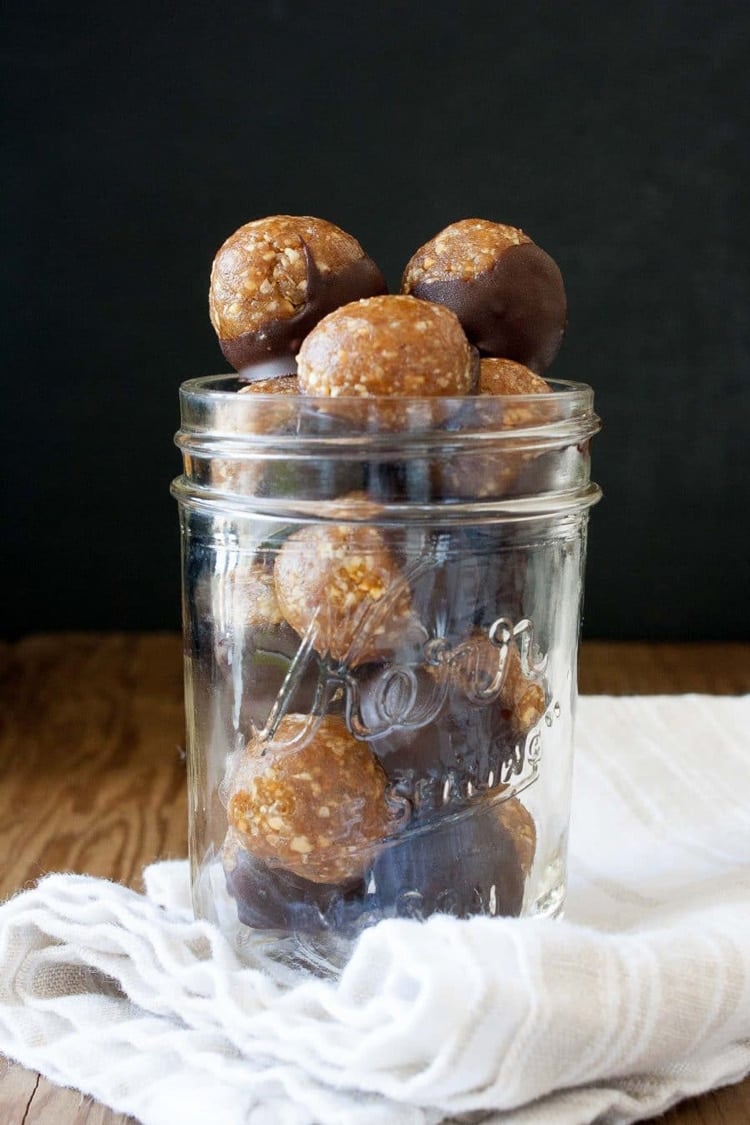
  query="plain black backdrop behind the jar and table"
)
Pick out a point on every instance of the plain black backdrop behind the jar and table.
point(138, 138)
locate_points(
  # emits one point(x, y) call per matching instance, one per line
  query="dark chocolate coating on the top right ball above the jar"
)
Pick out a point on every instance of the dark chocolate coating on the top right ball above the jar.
point(516, 310)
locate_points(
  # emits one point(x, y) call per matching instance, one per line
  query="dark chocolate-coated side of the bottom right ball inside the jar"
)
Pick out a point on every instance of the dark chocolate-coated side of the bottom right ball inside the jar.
point(460, 866)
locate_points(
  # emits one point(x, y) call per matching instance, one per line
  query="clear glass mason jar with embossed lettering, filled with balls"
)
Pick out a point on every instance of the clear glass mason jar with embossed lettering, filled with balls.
point(382, 604)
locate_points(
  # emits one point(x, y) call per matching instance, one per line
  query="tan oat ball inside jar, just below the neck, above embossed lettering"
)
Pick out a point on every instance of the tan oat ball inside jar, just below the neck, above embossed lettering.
point(341, 586)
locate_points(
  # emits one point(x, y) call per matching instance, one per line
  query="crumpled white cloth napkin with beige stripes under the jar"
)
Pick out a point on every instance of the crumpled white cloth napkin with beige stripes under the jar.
point(639, 998)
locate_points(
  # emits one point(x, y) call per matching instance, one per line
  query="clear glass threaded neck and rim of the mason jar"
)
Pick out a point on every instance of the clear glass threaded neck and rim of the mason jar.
point(521, 455)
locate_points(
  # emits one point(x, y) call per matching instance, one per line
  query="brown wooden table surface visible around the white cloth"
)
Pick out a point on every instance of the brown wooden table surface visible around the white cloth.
point(93, 779)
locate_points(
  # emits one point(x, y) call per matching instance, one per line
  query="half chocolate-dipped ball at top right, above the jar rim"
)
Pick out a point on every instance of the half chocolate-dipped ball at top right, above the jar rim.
point(507, 292)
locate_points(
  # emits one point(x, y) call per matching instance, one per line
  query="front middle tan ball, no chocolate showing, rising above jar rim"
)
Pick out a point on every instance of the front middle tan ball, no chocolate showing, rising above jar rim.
point(388, 346)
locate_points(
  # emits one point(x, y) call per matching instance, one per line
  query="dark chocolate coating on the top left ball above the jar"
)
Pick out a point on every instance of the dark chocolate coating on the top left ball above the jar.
point(284, 337)
